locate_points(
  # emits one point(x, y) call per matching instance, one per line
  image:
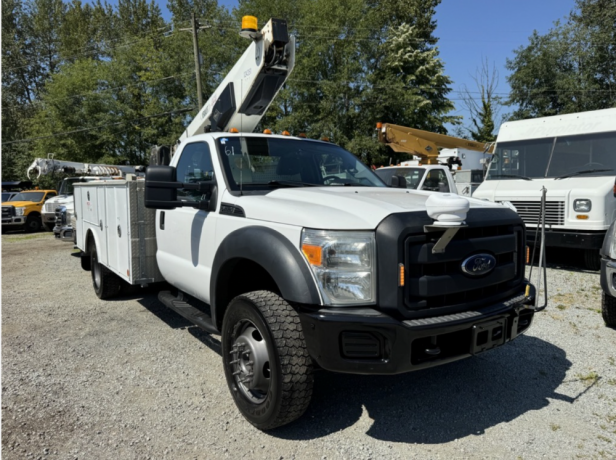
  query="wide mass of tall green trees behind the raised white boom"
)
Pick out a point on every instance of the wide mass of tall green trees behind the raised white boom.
point(94, 82)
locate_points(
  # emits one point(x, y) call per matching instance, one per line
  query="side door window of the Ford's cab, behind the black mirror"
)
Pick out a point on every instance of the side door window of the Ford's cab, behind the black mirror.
point(195, 165)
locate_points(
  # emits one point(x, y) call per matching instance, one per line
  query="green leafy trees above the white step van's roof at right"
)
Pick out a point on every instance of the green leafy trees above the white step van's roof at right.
point(572, 68)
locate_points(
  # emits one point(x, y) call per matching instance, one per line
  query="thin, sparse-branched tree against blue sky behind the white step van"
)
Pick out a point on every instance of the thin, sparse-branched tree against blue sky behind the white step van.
point(484, 109)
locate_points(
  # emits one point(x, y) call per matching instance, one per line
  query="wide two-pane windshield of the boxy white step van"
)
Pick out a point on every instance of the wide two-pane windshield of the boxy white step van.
point(588, 154)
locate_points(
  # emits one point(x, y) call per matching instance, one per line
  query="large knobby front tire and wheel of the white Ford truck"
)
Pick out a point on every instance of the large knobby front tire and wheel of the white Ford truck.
point(266, 362)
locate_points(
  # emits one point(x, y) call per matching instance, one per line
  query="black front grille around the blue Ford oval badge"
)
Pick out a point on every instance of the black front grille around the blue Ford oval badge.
point(437, 280)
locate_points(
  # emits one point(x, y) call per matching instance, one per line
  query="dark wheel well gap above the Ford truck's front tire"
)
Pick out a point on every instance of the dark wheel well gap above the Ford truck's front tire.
point(238, 276)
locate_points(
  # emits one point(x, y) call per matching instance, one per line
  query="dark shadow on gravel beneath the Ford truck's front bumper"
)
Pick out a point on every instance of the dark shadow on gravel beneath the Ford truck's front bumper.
point(438, 405)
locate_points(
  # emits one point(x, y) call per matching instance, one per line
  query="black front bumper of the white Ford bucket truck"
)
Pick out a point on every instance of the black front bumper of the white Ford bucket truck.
point(367, 341)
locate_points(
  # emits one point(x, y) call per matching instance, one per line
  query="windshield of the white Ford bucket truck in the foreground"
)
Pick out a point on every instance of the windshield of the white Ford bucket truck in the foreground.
point(260, 163)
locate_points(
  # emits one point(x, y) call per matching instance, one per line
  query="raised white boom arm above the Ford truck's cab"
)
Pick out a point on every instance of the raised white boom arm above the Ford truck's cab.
point(252, 84)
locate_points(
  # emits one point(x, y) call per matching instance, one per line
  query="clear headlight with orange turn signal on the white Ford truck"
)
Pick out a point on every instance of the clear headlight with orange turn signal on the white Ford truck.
point(343, 264)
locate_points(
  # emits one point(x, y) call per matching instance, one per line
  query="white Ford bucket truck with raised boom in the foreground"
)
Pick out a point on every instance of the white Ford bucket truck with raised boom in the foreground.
point(298, 264)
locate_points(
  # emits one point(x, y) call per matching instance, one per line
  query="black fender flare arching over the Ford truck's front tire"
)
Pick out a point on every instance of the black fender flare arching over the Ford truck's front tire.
point(276, 254)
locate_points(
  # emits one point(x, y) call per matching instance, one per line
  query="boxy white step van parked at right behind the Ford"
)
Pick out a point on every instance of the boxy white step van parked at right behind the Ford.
point(574, 157)
